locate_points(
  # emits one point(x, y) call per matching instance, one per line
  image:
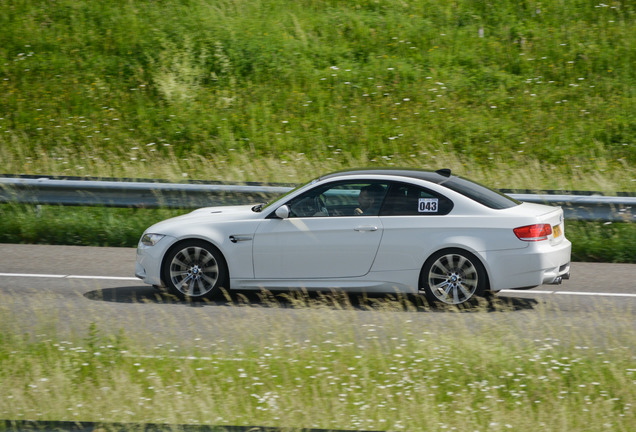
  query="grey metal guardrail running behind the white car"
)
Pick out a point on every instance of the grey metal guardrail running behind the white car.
point(146, 194)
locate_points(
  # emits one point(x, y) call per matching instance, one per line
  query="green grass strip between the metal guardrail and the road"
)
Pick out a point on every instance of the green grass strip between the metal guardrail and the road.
point(94, 226)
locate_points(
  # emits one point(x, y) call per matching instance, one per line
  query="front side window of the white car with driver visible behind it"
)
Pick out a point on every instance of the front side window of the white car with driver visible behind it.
point(352, 198)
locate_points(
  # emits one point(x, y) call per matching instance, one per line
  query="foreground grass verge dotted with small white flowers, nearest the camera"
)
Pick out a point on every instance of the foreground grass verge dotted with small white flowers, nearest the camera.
point(383, 374)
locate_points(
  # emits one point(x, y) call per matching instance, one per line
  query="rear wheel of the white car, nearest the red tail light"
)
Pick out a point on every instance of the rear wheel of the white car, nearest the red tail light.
point(453, 277)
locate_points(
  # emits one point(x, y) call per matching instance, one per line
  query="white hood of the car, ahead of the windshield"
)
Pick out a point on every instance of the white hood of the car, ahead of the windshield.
point(207, 215)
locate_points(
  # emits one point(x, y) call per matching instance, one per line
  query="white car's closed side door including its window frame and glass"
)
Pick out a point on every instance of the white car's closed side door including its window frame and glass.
point(323, 237)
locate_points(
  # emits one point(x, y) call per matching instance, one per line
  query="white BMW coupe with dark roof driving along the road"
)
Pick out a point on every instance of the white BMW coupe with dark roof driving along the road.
point(375, 230)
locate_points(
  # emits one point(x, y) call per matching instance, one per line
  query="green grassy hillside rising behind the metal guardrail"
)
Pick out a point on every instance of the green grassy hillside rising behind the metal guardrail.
point(532, 94)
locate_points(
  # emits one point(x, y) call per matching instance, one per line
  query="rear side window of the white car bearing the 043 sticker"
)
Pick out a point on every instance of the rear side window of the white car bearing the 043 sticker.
point(409, 200)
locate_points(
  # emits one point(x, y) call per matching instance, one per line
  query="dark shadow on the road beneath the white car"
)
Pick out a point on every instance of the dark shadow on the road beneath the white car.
point(302, 299)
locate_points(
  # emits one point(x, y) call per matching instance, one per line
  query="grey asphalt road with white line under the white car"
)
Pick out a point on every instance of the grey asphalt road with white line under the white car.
point(64, 289)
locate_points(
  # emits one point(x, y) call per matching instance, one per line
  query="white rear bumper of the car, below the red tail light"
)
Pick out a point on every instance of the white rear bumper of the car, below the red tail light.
point(540, 263)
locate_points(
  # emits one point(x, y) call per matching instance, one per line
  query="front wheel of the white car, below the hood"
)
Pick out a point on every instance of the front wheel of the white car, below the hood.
point(194, 269)
